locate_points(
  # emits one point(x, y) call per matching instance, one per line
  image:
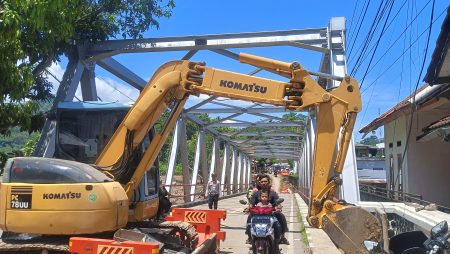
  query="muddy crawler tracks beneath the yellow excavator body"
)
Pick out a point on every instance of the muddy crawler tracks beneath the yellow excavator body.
point(176, 236)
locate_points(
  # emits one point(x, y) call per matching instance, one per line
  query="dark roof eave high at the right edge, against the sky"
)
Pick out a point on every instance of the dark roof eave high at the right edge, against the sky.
point(439, 68)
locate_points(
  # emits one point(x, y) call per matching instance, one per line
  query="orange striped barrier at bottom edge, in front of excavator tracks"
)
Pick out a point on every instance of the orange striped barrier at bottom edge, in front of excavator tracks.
point(82, 245)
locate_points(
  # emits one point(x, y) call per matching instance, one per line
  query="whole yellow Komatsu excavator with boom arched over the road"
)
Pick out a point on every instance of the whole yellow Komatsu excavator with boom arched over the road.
point(120, 190)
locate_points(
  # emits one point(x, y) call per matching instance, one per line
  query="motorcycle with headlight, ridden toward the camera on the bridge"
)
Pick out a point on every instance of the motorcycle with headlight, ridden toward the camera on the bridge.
point(262, 229)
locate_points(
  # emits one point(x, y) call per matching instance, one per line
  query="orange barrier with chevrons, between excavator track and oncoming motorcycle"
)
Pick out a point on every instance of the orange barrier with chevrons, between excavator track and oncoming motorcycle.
point(206, 222)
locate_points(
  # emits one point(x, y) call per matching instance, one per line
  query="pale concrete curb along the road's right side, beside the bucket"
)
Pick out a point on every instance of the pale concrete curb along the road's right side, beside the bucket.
point(318, 240)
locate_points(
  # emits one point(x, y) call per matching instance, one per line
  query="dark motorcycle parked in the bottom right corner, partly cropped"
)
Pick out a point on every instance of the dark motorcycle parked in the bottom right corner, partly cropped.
point(416, 242)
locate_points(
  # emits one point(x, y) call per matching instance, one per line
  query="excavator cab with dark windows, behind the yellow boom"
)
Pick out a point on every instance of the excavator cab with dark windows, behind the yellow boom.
point(83, 129)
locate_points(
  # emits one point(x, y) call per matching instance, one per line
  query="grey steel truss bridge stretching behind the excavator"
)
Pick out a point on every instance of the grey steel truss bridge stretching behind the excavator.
point(243, 144)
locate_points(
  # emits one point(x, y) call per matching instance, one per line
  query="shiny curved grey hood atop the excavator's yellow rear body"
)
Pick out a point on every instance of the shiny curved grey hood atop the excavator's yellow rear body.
point(45, 171)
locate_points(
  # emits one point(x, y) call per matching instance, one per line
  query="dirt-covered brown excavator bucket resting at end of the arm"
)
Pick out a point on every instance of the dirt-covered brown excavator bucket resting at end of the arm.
point(350, 227)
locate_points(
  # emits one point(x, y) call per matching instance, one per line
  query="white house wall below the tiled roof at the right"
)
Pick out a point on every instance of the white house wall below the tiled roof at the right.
point(426, 169)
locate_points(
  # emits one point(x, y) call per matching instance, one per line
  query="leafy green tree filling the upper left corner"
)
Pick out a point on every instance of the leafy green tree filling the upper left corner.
point(36, 33)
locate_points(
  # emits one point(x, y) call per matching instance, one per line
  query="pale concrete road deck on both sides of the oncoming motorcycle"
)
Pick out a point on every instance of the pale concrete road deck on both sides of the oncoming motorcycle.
point(234, 226)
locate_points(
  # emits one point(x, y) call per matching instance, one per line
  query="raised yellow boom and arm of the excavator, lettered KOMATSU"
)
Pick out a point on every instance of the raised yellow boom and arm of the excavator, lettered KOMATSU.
point(175, 81)
